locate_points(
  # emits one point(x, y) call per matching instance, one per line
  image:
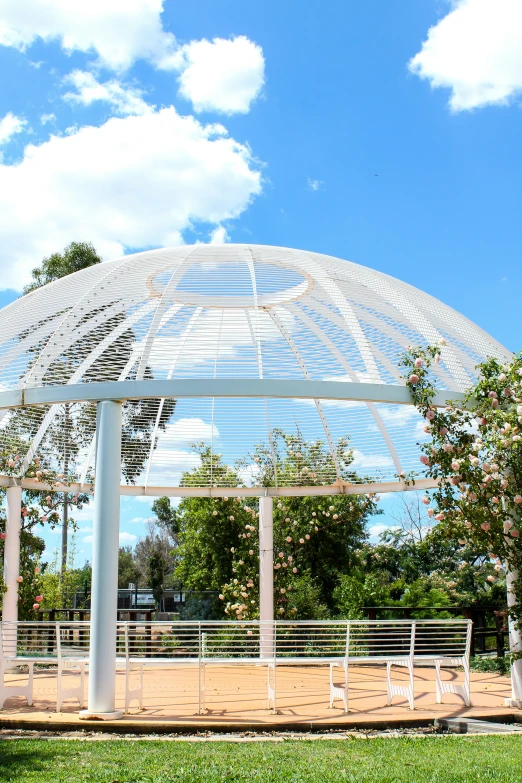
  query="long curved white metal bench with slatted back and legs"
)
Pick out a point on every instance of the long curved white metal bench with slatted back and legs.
point(336, 644)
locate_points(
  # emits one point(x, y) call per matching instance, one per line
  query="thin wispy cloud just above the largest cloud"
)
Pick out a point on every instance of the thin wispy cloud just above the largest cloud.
point(123, 99)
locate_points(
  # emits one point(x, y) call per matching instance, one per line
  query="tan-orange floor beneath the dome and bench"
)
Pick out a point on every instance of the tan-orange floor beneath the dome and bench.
point(237, 697)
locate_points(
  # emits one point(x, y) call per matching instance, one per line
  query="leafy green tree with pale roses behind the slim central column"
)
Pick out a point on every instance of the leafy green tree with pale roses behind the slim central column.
point(313, 537)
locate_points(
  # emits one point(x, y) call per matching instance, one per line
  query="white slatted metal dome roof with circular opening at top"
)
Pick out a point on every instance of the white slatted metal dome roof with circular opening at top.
point(227, 347)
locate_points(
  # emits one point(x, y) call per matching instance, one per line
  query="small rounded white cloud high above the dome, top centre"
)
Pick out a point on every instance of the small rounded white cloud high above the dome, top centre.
point(221, 75)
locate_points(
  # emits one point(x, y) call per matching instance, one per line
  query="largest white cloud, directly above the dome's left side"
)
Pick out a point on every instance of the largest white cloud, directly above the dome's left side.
point(134, 182)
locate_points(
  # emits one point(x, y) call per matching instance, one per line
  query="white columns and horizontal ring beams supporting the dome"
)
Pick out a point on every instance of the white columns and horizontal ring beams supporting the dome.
point(109, 398)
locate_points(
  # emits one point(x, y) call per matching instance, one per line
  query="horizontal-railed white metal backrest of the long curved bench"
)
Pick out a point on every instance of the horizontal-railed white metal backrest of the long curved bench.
point(184, 642)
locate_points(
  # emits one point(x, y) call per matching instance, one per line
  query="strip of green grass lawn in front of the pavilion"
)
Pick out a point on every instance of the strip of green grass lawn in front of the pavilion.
point(404, 760)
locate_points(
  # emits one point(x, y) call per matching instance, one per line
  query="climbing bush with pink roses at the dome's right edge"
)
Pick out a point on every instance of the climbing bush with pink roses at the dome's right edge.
point(475, 454)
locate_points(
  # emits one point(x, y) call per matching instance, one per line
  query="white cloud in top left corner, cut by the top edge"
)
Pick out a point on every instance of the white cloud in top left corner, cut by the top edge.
point(119, 32)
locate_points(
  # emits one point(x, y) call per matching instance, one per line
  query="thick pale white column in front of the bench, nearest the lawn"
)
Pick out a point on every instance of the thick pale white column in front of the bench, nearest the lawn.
point(104, 591)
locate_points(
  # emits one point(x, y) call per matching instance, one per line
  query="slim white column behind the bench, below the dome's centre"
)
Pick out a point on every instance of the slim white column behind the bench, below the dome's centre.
point(266, 574)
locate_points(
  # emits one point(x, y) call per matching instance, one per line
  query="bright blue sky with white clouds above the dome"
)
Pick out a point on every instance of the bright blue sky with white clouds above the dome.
point(384, 133)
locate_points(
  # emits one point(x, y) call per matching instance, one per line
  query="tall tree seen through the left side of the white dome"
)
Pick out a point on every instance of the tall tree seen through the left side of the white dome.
point(72, 425)
